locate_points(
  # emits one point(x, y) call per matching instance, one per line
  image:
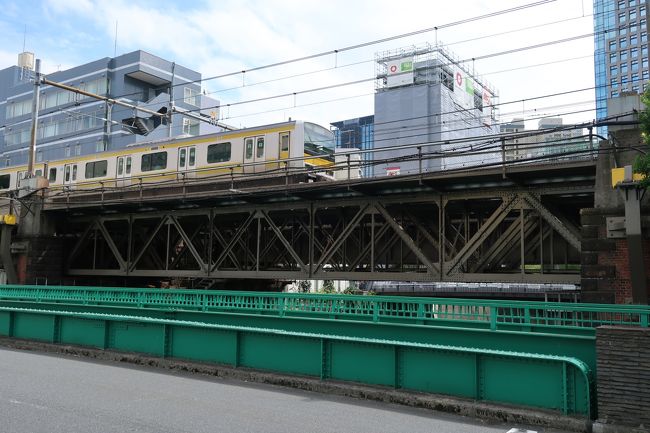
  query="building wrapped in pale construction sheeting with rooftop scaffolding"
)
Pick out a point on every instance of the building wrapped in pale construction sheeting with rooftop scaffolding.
point(424, 96)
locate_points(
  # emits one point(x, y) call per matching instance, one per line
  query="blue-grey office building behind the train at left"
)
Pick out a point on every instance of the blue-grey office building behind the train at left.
point(71, 125)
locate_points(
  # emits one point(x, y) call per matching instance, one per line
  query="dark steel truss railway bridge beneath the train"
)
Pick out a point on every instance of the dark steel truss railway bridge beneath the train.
point(491, 225)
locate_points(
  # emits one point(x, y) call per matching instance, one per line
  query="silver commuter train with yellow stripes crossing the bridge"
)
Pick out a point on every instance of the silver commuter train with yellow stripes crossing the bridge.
point(263, 149)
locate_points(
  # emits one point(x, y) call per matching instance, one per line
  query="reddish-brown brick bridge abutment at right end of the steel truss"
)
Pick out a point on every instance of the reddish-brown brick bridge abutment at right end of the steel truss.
point(605, 269)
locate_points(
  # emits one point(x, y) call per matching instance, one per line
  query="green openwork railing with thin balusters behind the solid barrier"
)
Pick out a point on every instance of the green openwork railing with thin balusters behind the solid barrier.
point(495, 314)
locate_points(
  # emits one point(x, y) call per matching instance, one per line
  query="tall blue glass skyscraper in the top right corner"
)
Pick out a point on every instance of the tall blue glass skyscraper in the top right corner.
point(620, 51)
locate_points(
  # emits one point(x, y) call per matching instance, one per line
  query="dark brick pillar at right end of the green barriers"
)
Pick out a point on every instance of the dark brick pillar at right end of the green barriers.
point(623, 357)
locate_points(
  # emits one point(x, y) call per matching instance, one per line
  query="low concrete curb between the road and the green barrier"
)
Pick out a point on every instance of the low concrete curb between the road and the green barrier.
point(458, 406)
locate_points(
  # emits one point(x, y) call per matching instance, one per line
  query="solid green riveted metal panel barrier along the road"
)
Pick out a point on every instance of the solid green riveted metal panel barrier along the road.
point(560, 383)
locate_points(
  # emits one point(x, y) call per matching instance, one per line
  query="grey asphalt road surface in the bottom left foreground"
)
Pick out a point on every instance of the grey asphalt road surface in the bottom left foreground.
point(53, 394)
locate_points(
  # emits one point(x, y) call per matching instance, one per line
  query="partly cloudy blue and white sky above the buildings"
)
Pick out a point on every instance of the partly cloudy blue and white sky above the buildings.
point(227, 36)
